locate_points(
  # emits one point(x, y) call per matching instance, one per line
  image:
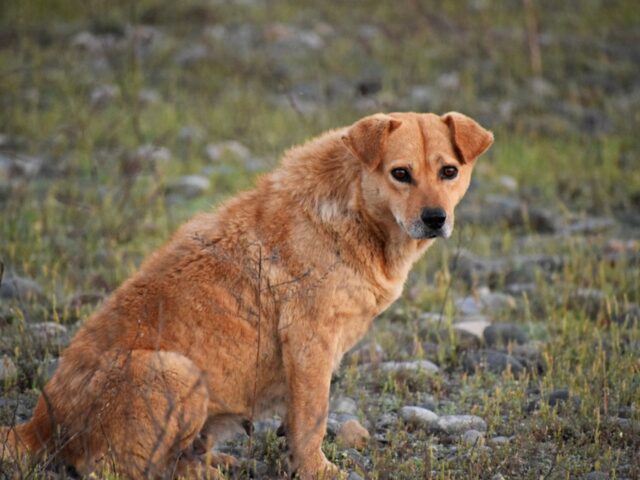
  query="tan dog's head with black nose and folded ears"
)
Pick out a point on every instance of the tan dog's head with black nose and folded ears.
point(416, 167)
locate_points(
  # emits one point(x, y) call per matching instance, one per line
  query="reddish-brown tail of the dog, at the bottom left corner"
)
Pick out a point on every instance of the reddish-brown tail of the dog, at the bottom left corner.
point(27, 439)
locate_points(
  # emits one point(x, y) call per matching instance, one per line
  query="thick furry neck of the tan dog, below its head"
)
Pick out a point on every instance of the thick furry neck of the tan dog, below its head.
point(324, 178)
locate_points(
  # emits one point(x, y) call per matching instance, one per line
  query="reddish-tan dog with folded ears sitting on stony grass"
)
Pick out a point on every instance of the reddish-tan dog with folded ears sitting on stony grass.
point(247, 311)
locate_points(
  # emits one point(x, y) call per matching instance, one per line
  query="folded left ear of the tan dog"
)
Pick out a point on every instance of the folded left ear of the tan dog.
point(367, 138)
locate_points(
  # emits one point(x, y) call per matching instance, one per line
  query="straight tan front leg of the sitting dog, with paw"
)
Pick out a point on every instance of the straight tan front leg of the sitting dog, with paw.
point(308, 360)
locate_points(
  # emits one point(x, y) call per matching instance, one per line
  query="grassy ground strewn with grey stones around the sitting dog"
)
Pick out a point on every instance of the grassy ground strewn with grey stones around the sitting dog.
point(514, 352)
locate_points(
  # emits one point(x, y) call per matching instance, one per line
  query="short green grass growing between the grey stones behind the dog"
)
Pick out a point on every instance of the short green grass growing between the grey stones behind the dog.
point(96, 209)
